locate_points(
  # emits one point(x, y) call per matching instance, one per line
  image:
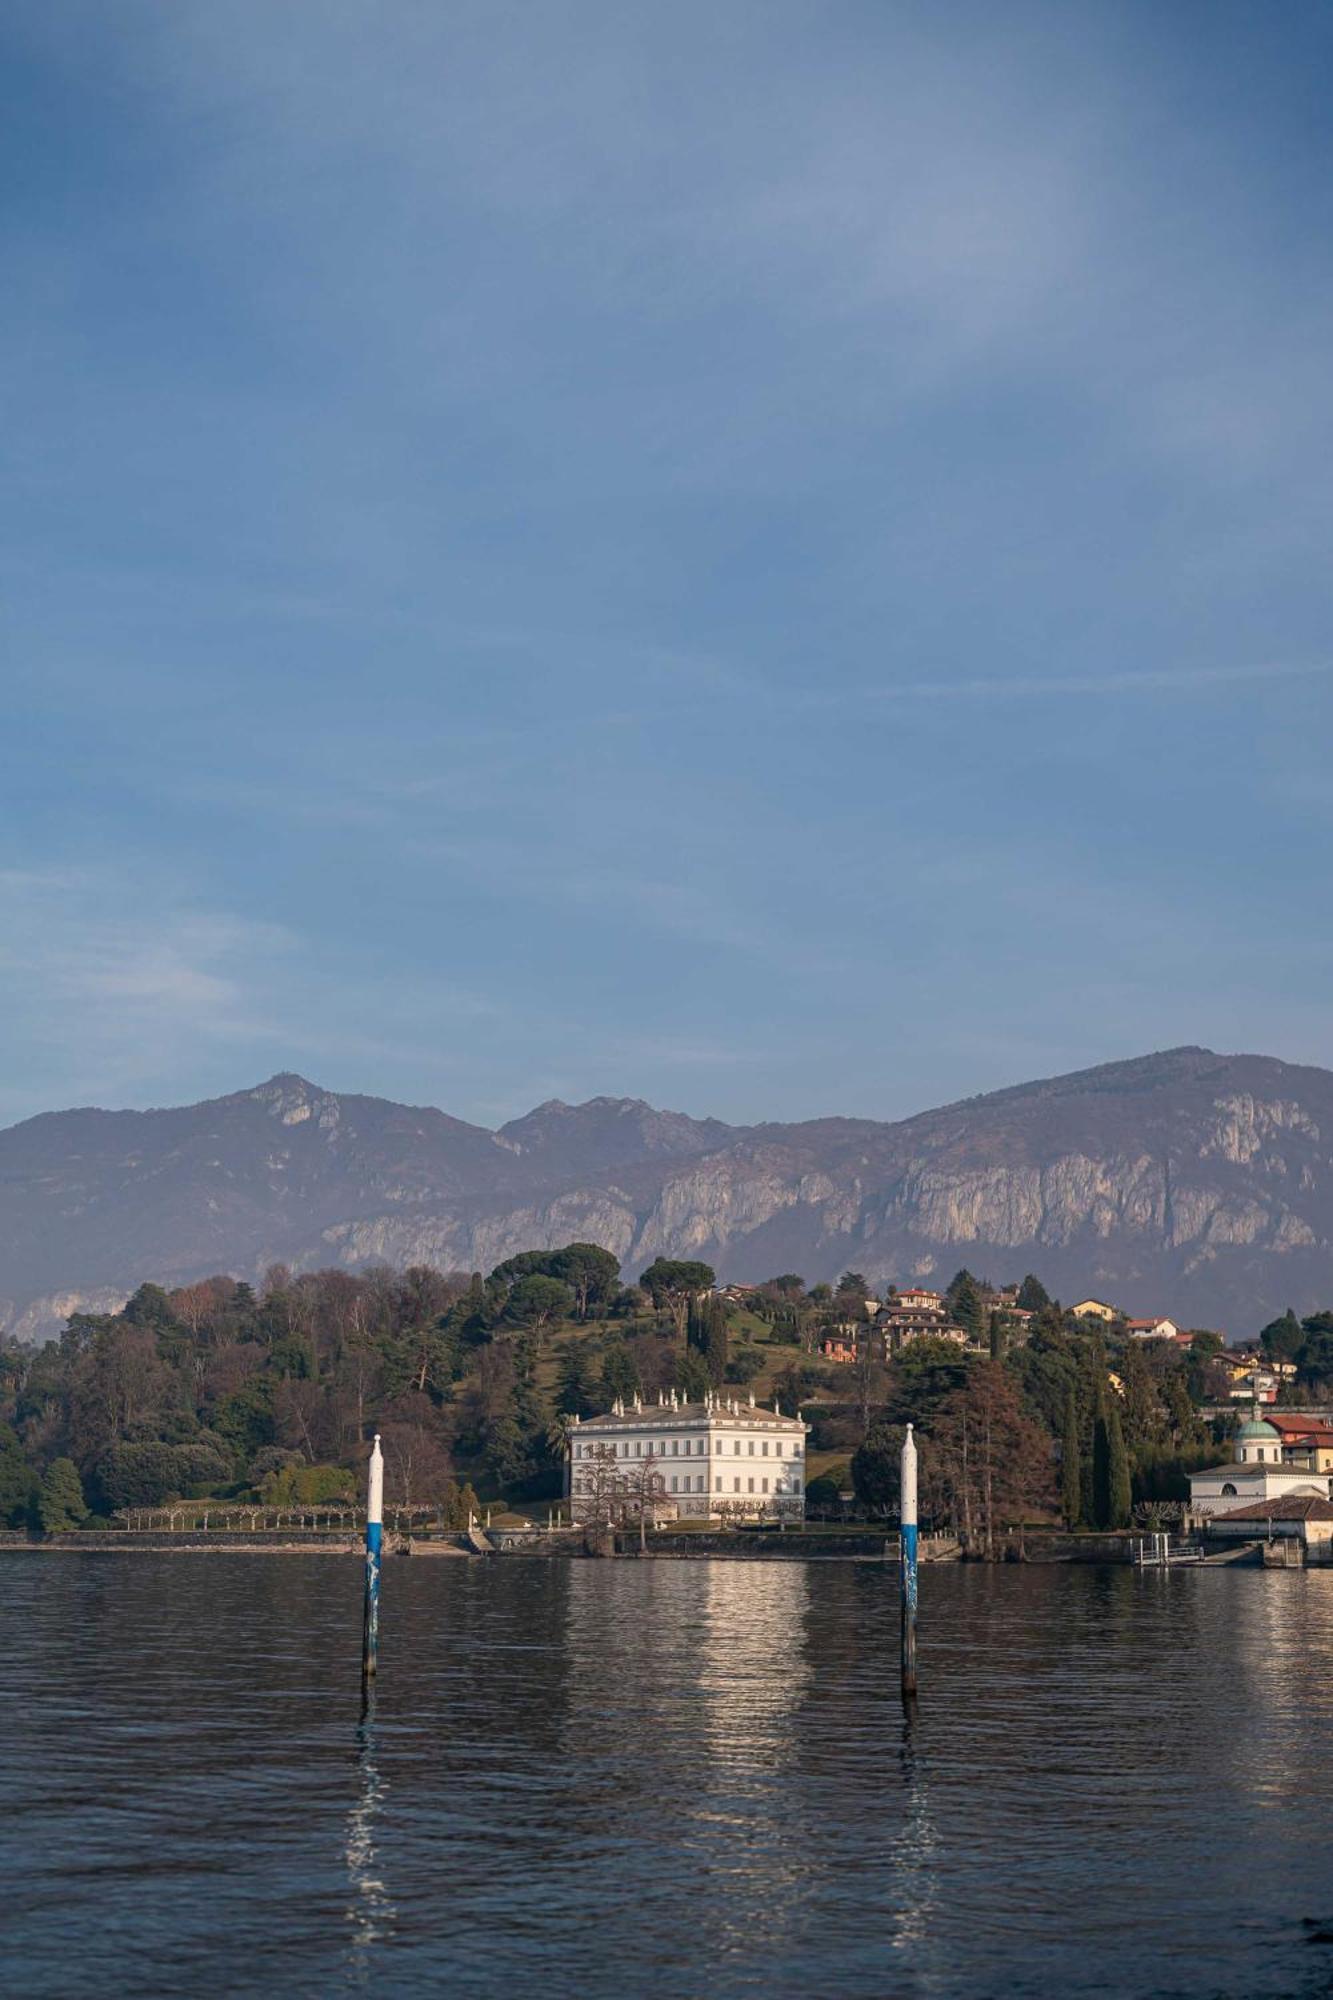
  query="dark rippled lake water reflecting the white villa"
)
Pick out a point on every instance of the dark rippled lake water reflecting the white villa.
point(682, 1779)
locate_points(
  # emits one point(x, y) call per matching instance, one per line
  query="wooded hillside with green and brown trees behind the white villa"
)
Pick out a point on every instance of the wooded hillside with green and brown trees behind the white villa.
point(225, 1389)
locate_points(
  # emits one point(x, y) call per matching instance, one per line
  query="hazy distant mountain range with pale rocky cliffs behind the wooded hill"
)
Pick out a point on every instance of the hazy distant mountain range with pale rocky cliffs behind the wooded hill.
point(1186, 1183)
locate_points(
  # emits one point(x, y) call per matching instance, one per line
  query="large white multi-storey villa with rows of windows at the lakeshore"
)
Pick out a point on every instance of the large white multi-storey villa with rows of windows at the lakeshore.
point(720, 1457)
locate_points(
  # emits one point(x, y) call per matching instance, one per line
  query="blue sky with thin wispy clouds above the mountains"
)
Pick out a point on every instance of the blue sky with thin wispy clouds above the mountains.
point(772, 559)
